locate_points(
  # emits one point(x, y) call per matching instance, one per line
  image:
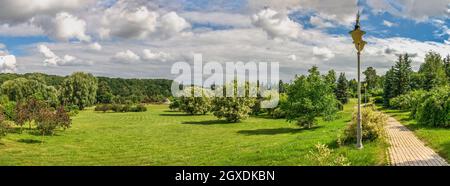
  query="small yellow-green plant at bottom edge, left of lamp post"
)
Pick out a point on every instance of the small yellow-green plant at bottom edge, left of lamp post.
point(321, 155)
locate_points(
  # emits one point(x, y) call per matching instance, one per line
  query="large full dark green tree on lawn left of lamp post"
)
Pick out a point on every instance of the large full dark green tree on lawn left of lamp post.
point(310, 97)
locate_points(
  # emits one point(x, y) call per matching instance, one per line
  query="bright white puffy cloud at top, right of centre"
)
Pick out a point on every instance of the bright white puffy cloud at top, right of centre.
point(276, 25)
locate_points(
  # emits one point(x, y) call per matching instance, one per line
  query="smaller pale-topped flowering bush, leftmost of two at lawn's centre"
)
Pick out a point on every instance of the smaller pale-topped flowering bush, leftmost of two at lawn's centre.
point(192, 104)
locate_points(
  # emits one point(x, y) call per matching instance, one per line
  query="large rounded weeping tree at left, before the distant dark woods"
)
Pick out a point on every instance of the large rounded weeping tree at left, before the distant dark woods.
point(79, 89)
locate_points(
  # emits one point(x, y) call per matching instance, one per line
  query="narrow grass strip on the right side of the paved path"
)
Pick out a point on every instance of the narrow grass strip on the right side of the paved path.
point(436, 138)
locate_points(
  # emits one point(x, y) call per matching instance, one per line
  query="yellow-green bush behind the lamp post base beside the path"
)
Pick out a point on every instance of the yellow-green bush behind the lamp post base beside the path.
point(372, 125)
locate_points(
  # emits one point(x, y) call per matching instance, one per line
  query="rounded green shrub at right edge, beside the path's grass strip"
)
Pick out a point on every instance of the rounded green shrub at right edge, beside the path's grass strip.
point(435, 110)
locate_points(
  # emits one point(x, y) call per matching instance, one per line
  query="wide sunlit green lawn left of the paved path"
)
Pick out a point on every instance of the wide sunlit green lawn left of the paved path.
point(162, 137)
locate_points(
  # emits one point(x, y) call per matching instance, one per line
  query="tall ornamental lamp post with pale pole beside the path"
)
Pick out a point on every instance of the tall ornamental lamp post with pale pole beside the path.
point(357, 34)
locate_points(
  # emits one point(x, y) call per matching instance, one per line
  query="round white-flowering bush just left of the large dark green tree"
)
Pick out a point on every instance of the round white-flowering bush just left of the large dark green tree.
point(233, 108)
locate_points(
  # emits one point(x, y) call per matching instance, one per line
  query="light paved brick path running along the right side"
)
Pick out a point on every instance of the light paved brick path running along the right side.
point(407, 150)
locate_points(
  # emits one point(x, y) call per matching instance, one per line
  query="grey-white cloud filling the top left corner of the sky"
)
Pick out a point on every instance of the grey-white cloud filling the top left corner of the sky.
point(18, 11)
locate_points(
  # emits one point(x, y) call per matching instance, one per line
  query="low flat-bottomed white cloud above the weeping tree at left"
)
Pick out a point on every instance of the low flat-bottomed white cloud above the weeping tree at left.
point(51, 59)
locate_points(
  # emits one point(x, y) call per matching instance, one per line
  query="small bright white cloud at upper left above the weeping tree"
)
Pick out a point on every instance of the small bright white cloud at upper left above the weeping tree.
point(65, 27)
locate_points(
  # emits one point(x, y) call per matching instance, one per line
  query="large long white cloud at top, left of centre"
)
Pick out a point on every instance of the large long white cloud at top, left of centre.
point(139, 23)
